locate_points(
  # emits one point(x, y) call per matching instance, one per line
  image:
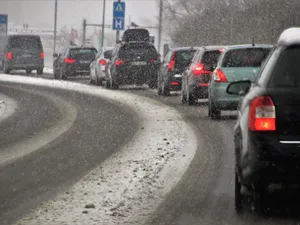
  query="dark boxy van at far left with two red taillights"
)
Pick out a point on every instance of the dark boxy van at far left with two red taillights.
point(21, 52)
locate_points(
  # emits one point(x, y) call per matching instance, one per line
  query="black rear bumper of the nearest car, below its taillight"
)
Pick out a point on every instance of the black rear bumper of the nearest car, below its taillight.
point(270, 161)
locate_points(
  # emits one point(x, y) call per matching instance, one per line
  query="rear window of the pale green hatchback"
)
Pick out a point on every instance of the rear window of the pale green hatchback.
point(247, 57)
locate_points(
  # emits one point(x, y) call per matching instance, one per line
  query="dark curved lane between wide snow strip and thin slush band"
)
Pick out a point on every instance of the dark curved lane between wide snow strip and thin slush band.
point(100, 129)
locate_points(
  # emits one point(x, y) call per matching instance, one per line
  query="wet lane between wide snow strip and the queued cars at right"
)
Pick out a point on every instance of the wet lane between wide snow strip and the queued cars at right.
point(205, 194)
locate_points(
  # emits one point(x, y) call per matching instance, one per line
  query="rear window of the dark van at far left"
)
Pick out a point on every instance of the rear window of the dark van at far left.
point(25, 42)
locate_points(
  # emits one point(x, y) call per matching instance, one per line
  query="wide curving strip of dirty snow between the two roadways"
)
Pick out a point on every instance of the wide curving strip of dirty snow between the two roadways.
point(130, 185)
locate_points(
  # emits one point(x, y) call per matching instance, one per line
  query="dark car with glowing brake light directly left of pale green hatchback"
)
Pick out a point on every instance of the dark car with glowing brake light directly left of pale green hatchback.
point(195, 79)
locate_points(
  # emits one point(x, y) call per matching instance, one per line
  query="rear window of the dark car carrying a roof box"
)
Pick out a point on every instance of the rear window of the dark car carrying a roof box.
point(133, 50)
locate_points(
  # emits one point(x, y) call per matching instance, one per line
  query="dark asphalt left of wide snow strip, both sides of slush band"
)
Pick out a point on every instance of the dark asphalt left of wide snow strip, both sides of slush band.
point(38, 176)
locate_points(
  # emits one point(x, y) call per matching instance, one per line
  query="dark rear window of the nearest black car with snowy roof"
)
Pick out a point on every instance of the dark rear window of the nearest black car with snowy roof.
point(286, 72)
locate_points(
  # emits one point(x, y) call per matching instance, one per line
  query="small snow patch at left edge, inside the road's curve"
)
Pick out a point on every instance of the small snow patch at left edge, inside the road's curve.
point(7, 107)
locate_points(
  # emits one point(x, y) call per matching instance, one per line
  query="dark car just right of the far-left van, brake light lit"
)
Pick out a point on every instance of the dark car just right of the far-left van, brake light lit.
point(73, 61)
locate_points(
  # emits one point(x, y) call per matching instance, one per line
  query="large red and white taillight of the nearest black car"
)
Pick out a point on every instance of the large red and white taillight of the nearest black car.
point(262, 116)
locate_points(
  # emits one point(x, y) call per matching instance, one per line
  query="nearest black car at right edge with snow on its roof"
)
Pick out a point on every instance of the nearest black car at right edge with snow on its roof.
point(267, 133)
